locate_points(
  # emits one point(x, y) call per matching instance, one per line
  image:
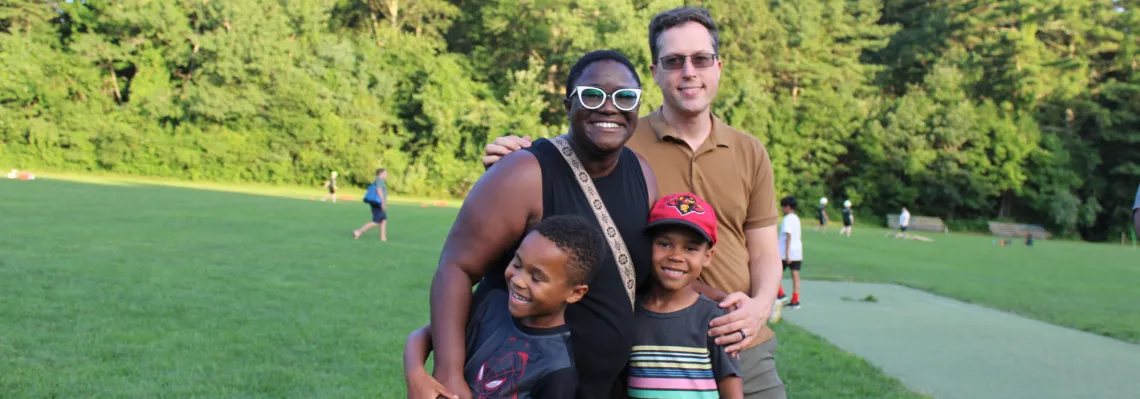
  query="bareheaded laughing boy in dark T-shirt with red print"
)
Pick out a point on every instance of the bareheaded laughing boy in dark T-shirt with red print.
point(518, 341)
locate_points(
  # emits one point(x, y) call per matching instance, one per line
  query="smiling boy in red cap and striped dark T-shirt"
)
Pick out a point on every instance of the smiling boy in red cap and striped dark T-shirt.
point(673, 355)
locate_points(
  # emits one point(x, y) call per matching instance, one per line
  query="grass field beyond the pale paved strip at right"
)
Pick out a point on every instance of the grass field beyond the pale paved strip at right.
point(1094, 288)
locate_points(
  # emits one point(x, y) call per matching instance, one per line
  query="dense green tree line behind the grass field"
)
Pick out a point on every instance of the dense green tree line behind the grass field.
point(968, 110)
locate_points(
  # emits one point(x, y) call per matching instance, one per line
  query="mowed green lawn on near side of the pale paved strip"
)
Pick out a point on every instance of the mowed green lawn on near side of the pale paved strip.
point(123, 290)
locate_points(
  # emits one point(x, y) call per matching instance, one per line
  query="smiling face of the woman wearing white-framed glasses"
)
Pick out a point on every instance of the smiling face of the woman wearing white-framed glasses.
point(605, 129)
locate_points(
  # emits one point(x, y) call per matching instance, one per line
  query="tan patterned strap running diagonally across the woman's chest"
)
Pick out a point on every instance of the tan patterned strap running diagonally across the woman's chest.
point(618, 246)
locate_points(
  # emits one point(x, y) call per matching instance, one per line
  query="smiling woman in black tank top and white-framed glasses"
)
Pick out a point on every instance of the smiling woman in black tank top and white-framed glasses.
point(525, 188)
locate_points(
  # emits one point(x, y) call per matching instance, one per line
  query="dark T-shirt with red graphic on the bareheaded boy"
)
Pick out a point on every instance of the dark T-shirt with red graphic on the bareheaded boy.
point(508, 360)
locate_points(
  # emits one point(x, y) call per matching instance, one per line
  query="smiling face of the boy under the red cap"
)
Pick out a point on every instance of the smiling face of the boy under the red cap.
point(680, 255)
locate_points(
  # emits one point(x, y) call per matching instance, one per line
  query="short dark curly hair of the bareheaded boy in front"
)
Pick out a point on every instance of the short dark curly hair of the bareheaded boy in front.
point(582, 241)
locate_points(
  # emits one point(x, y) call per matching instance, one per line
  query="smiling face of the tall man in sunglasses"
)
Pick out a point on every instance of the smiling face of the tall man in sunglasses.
point(687, 91)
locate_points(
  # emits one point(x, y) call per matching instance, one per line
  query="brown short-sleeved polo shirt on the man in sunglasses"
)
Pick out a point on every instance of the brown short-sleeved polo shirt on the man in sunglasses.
point(732, 173)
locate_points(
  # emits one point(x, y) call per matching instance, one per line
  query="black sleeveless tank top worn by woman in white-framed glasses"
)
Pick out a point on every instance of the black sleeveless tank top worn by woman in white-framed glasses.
point(602, 323)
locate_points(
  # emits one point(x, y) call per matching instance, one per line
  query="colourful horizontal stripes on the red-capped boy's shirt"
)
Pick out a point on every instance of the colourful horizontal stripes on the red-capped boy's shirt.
point(672, 372)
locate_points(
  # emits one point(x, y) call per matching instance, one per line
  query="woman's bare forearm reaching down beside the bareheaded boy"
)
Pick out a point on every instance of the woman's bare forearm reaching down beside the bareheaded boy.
point(451, 298)
